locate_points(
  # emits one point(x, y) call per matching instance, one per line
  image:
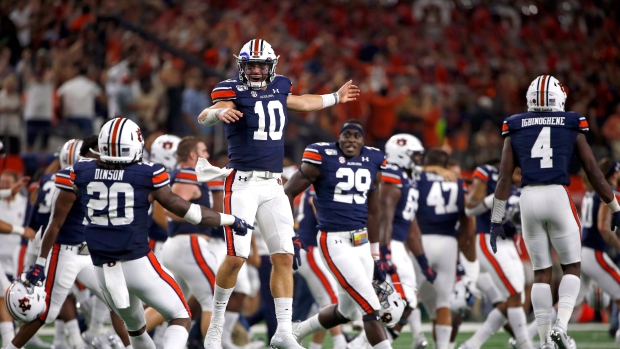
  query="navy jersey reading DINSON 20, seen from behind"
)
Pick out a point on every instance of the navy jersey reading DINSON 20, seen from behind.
point(117, 203)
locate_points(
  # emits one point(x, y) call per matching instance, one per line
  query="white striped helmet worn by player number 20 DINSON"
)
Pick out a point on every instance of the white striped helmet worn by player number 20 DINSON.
point(121, 142)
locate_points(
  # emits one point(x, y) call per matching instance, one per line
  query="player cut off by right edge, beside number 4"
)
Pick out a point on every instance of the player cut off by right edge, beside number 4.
point(598, 237)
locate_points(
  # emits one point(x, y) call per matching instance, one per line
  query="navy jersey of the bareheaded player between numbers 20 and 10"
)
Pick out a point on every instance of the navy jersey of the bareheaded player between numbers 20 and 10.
point(187, 175)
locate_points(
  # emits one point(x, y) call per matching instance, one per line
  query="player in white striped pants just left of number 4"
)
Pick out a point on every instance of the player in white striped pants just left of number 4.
point(505, 269)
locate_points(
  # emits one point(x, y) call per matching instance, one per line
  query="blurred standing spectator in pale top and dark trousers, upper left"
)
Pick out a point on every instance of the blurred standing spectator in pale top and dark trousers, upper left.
point(39, 100)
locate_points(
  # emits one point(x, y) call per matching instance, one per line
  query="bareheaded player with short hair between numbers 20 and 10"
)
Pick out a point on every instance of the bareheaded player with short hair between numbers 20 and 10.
point(185, 253)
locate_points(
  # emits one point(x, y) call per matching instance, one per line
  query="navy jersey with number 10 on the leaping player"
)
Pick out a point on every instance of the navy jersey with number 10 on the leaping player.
point(256, 141)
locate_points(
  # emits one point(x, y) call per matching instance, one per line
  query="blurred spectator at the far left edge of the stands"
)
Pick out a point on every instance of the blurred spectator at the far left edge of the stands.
point(10, 116)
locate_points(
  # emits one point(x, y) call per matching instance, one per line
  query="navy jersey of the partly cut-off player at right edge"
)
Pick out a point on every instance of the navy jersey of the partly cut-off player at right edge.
point(590, 235)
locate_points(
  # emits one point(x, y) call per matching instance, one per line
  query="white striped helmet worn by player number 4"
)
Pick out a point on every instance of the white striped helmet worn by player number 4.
point(546, 94)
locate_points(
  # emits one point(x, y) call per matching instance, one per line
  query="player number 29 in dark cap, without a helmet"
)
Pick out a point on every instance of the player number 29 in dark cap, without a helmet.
point(346, 176)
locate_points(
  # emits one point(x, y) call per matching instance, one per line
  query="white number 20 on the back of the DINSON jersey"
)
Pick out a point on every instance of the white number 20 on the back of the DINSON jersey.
point(108, 202)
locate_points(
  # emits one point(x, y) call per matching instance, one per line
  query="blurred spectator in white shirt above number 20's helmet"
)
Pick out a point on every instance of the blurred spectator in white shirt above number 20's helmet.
point(76, 100)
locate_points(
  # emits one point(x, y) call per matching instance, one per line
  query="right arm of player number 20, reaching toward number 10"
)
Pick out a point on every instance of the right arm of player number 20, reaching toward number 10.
point(192, 213)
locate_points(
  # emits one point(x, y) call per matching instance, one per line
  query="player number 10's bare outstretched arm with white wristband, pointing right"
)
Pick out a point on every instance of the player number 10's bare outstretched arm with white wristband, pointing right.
point(305, 103)
